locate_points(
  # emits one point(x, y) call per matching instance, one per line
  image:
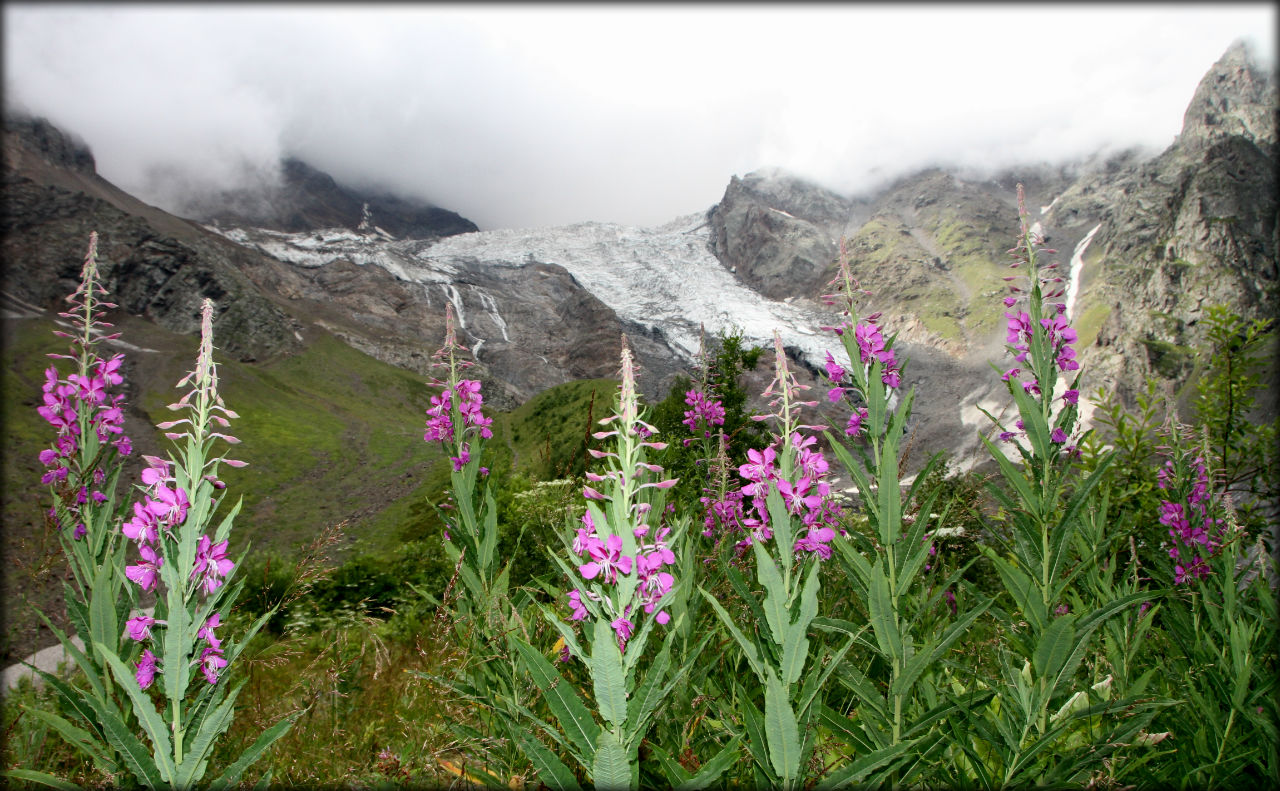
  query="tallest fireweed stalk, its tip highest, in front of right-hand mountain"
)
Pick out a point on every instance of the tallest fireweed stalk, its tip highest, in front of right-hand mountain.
point(1026, 734)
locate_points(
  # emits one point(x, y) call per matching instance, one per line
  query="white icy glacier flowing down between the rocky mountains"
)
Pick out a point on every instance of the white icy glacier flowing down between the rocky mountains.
point(660, 278)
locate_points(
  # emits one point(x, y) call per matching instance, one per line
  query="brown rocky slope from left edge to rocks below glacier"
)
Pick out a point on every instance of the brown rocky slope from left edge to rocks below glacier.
point(161, 267)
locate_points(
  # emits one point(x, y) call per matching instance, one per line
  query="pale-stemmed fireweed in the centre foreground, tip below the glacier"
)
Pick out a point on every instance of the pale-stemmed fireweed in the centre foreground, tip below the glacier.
point(619, 568)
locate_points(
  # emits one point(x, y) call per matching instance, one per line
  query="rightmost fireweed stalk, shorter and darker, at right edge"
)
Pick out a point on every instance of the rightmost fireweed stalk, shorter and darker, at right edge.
point(1220, 624)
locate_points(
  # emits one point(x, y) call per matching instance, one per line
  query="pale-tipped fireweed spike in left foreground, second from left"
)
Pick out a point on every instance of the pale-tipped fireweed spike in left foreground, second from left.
point(182, 552)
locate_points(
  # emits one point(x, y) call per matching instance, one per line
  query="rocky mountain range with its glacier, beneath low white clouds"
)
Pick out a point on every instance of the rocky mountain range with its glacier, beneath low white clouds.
point(1146, 244)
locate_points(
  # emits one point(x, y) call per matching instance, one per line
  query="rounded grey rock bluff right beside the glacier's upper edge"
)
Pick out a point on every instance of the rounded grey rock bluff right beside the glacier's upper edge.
point(778, 234)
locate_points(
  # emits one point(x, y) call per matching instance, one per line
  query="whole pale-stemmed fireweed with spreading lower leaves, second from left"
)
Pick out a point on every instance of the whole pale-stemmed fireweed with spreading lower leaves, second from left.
point(182, 561)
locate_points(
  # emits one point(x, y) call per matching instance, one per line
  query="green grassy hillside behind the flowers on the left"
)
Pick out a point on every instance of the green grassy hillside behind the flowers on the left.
point(332, 437)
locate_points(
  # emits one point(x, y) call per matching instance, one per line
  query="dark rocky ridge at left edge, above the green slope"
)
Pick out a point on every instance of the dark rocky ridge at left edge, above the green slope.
point(150, 272)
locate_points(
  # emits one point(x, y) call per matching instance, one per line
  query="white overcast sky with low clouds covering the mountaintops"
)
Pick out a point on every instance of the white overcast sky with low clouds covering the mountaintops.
point(527, 116)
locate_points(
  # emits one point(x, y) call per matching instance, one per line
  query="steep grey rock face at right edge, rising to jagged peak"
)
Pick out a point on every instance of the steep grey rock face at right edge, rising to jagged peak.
point(1195, 227)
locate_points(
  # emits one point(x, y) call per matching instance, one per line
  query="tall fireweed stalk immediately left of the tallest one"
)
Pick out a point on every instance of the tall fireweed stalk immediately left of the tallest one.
point(885, 566)
